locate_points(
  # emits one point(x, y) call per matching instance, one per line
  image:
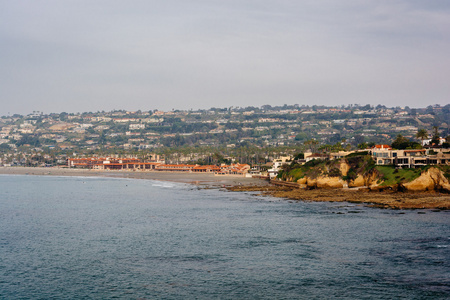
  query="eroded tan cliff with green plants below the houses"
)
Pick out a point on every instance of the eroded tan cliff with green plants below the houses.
point(361, 172)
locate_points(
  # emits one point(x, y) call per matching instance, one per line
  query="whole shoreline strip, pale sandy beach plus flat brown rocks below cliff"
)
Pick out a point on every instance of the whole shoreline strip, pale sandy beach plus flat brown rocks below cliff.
point(380, 199)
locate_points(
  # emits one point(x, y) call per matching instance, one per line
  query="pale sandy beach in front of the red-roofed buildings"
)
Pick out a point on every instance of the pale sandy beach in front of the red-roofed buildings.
point(200, 179)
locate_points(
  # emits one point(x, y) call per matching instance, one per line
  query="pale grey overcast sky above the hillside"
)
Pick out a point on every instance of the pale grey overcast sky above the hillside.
point(103, 55)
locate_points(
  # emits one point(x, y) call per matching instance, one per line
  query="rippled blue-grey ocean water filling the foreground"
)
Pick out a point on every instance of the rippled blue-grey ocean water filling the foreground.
point(106, 238)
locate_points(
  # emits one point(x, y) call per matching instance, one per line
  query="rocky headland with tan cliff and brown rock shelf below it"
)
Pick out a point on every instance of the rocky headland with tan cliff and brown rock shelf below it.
point(356, 179)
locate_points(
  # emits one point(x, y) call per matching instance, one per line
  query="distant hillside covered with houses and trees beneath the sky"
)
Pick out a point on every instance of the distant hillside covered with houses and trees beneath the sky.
point(257, 136)
